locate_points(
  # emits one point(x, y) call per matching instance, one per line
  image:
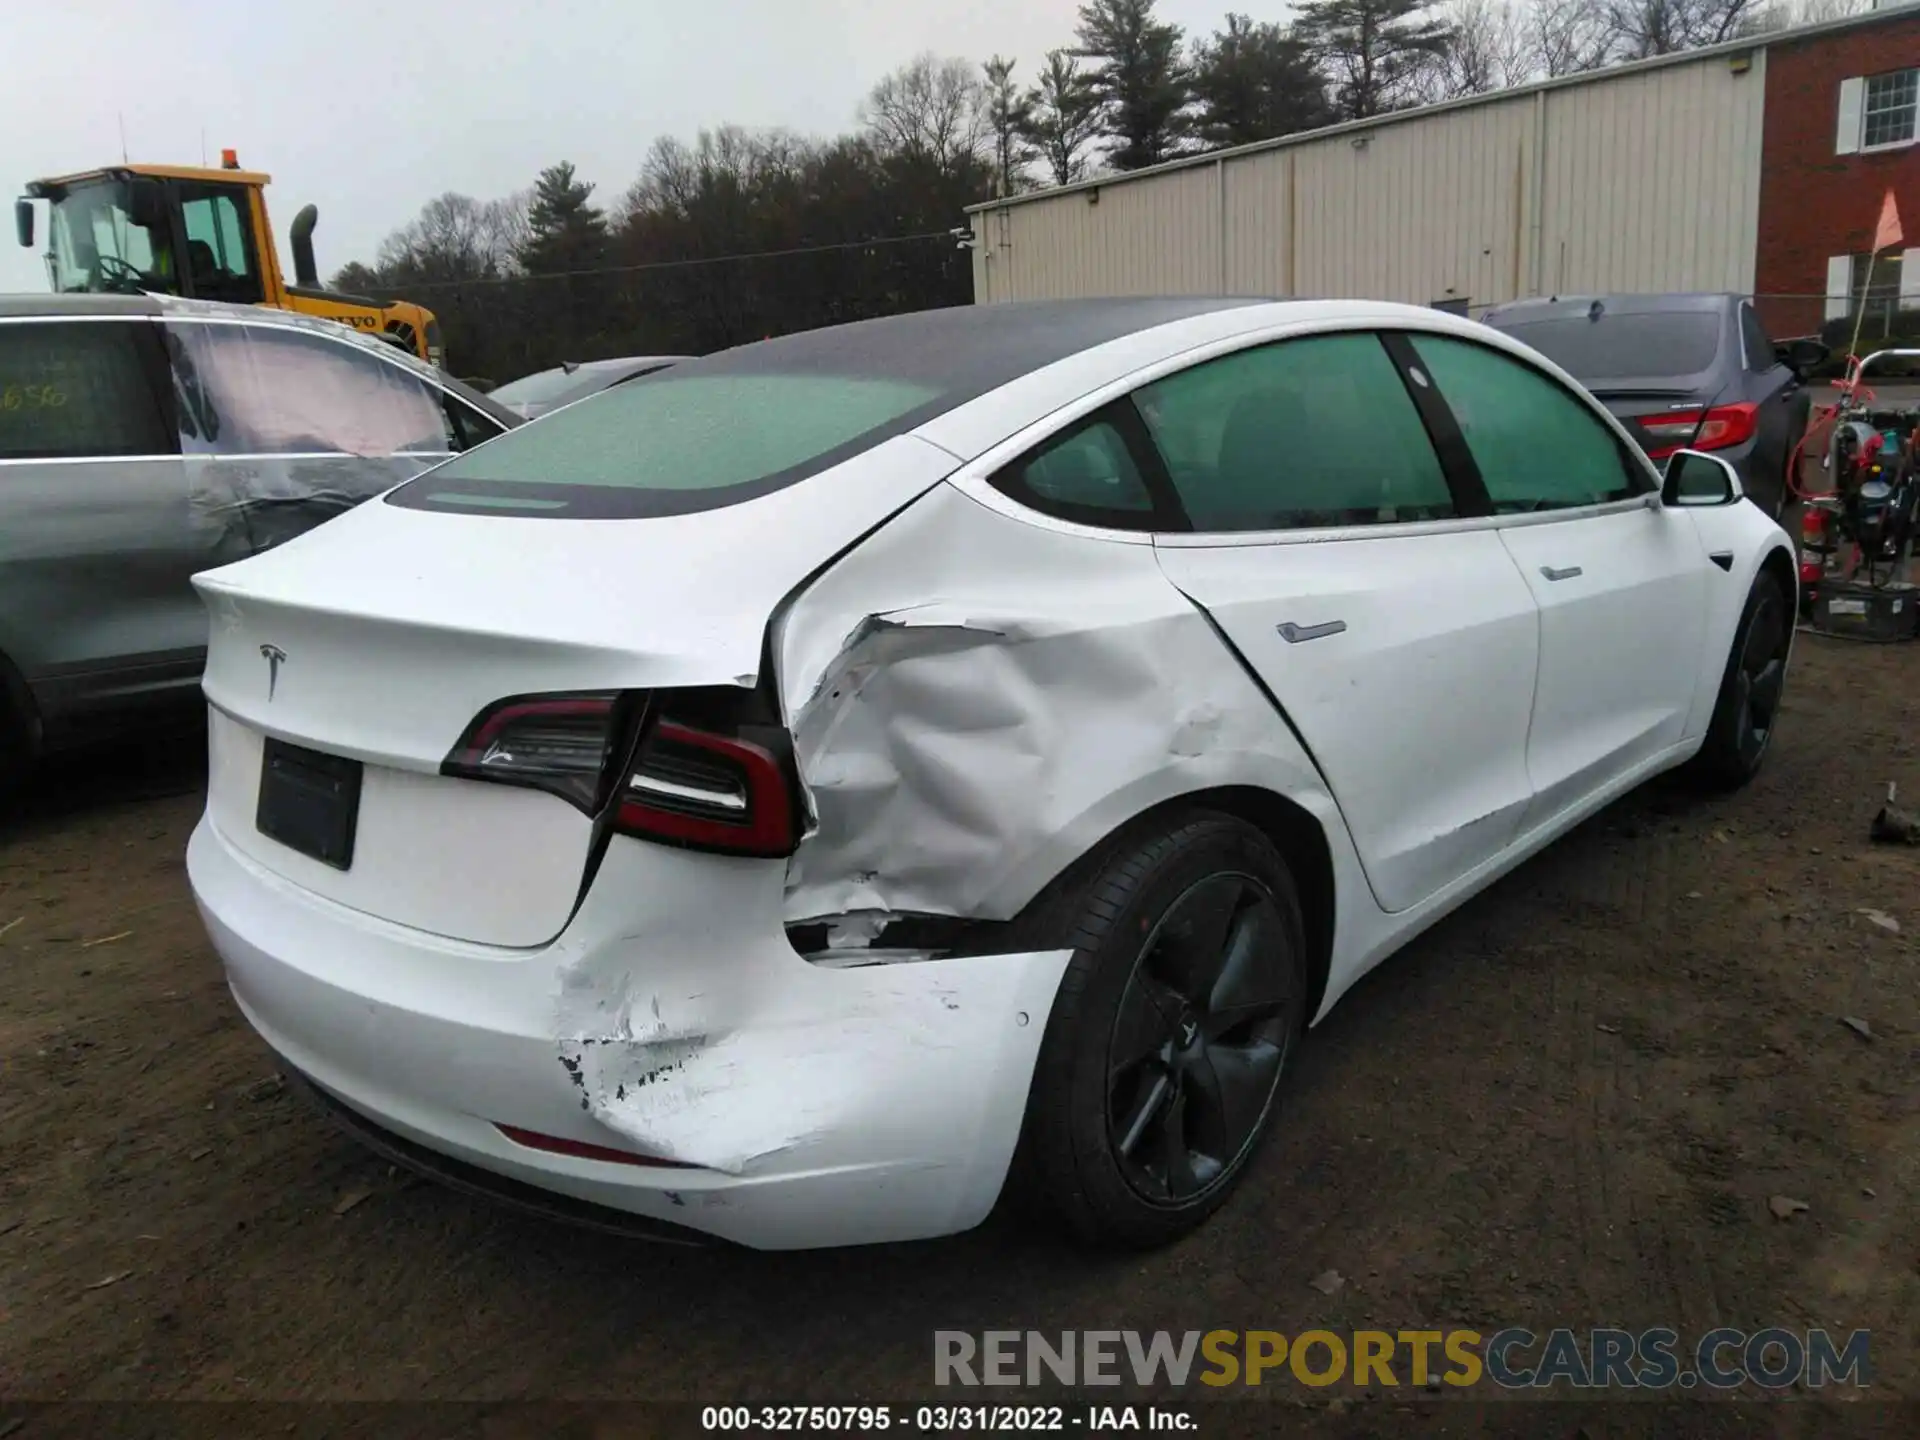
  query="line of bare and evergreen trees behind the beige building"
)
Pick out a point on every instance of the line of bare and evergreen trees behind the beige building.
point(742, 235)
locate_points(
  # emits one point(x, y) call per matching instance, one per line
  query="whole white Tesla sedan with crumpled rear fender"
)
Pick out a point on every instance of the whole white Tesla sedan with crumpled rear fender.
point(804, 794)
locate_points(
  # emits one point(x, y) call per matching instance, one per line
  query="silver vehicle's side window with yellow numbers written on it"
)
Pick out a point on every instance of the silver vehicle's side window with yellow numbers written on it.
point(80, 389)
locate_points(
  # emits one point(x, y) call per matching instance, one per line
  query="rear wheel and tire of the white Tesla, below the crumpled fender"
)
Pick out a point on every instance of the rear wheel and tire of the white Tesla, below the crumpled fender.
point(1149, 1105)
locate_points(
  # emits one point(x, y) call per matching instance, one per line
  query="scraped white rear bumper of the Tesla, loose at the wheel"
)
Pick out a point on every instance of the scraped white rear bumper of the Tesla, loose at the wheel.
point(802, 1107)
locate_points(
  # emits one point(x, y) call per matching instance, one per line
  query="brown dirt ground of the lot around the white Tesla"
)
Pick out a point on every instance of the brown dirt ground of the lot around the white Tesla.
point(1570, 1105)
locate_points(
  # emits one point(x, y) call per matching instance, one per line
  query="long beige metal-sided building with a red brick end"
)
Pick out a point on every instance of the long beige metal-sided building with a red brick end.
point(1756, 166)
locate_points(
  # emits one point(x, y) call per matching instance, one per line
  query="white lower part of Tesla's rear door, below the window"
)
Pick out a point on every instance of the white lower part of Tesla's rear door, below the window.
point(1416, 709)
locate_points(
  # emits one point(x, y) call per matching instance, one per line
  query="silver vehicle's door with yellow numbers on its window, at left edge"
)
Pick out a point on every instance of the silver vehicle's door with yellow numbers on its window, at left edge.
point(95, 550)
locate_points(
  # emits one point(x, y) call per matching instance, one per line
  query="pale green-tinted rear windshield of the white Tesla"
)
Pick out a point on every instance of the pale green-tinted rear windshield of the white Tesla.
point(675, 446)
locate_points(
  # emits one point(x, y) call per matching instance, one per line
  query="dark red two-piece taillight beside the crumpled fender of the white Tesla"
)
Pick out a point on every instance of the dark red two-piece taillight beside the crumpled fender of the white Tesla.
point(708, 773)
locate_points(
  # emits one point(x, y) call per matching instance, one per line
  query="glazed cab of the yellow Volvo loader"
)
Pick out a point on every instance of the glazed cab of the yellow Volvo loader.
point(149, 231)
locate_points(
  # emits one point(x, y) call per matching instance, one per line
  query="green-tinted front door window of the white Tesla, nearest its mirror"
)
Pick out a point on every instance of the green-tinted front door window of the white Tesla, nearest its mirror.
point(1535, 444)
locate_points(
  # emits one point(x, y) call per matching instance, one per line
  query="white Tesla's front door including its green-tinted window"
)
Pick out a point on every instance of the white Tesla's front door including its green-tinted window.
point(1621, 583)
